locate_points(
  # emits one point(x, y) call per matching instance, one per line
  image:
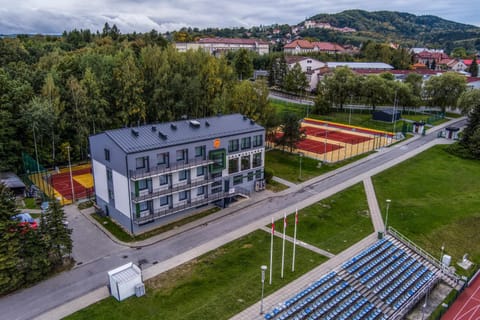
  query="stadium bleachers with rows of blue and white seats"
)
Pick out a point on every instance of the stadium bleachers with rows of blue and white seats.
point(372, 285)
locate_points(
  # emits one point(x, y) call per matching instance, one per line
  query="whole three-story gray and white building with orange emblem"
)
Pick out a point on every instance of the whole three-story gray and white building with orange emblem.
point(153, 174)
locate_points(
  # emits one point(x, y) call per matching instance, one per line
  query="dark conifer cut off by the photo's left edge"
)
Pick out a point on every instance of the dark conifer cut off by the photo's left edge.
point(10, 246)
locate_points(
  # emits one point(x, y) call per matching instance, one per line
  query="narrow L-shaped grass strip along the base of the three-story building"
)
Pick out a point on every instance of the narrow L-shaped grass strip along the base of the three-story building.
point(124, 236)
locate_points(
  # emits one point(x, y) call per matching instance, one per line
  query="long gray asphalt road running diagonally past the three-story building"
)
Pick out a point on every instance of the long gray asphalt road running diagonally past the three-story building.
point(58, 290)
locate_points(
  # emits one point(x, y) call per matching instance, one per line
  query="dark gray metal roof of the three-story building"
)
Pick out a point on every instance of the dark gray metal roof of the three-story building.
point(161, 135)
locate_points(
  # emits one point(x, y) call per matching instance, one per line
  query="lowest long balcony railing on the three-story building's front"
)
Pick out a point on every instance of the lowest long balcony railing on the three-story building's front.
point(162, 212)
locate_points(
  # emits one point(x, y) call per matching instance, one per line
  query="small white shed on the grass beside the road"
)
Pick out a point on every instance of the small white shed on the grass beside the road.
point(126, 281)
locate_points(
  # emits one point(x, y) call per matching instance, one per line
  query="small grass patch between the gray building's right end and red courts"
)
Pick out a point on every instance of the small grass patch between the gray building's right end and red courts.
point(286, 165)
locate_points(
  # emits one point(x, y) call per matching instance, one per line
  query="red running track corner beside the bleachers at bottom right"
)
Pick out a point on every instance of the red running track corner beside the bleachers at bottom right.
point(467, 306)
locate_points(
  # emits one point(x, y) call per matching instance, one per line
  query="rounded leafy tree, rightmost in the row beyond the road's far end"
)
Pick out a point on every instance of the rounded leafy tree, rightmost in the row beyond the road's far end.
point(444, 90)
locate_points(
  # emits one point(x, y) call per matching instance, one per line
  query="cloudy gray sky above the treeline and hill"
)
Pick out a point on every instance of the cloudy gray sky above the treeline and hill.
point(55, 16)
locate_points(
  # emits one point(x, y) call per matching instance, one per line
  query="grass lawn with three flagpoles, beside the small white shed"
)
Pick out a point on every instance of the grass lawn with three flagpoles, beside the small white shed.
point(216, 285)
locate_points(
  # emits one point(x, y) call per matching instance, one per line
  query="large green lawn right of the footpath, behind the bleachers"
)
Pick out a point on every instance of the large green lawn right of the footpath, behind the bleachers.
point(435, 201)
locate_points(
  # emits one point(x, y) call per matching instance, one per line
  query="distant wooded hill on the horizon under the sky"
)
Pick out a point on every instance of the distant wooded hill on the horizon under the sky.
point(403, 28)
